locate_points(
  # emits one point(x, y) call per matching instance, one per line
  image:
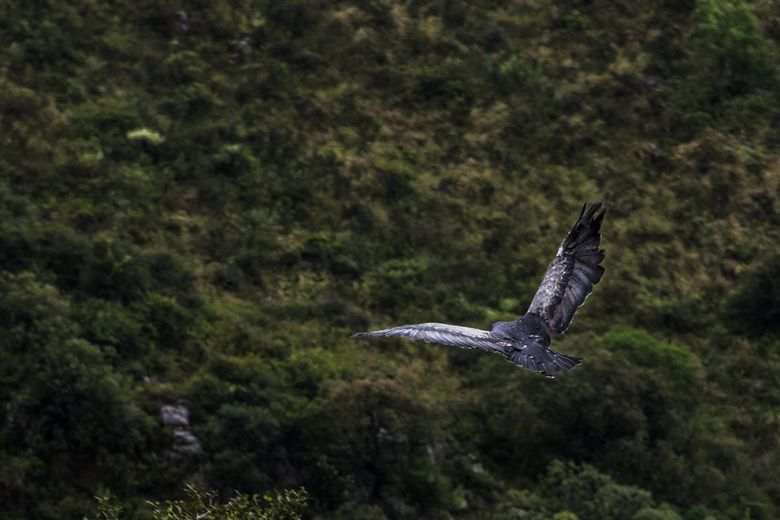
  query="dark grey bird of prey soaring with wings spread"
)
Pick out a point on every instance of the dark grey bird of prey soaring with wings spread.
point(526, 342)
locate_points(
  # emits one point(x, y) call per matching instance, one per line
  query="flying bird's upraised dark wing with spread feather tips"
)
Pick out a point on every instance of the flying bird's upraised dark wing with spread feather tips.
point(572, 273)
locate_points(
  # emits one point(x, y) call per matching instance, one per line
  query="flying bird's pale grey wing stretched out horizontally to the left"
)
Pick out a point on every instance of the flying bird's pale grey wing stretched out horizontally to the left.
point(464, 337)
